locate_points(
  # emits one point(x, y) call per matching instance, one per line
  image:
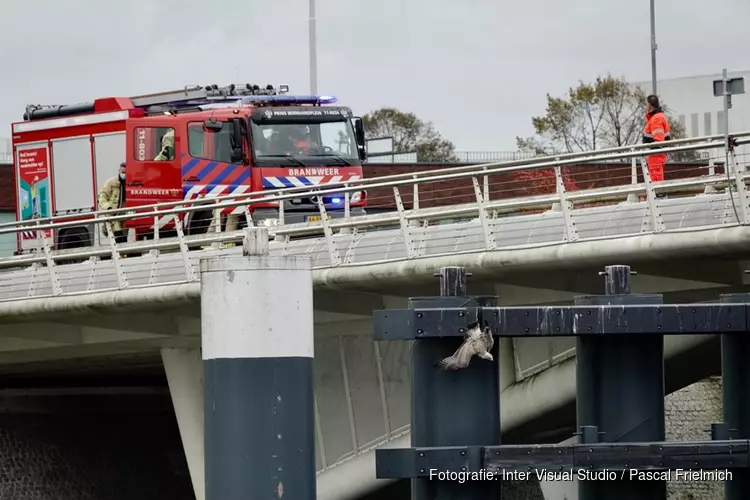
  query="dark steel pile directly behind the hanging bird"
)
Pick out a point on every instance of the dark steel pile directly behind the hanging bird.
point(444, 402)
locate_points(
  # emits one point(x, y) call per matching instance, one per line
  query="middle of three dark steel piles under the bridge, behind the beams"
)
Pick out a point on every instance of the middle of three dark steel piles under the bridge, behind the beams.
point(620, 385)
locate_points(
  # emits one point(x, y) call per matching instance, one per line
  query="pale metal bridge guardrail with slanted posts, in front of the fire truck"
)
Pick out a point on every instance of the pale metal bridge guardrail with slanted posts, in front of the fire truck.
point(489, 201)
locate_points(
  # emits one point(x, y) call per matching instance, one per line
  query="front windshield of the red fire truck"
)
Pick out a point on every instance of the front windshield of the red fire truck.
point(306, 141)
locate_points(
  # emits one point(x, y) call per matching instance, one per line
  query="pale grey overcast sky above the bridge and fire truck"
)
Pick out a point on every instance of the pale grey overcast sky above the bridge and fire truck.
point(478, 69)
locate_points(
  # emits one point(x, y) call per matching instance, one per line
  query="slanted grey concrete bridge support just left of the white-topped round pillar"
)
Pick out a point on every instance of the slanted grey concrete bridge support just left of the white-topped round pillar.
point(184, 371)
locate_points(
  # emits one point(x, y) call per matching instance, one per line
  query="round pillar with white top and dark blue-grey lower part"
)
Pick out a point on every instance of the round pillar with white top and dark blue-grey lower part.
point(257, 336)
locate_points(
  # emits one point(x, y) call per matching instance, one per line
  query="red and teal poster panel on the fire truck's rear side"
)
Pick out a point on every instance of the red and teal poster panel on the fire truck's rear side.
point(34, 186)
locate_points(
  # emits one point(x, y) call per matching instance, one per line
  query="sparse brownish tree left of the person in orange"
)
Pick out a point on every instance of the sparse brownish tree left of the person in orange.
point(605, 114)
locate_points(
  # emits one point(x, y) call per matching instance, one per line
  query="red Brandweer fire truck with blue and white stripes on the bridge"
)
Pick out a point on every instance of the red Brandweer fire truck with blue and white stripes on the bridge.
point(183, 145)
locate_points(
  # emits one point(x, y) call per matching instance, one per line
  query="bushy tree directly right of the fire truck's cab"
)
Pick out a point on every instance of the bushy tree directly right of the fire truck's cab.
point(410, 134)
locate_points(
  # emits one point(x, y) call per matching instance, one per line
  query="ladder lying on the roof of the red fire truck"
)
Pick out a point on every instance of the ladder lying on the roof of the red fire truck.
point(207, 94)
